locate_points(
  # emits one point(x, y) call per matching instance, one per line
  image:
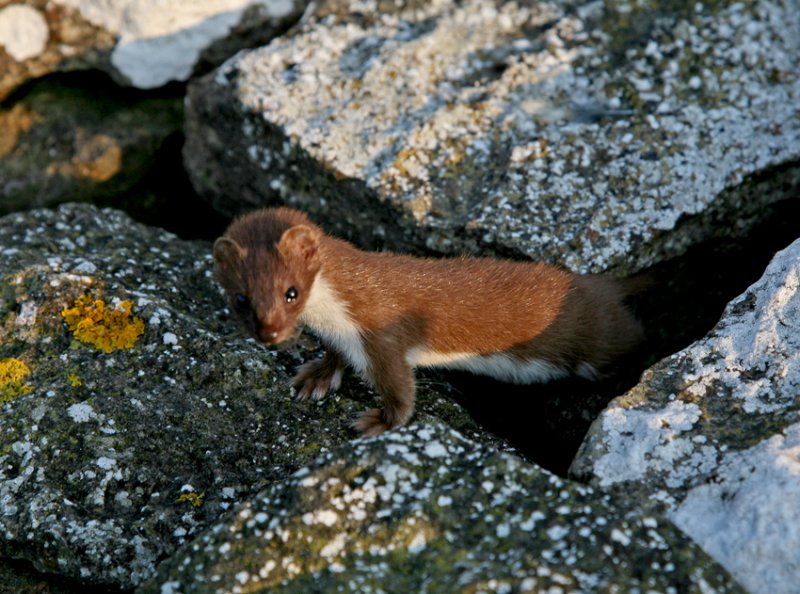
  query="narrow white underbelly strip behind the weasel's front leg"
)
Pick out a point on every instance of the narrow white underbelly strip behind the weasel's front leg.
point(499, 366)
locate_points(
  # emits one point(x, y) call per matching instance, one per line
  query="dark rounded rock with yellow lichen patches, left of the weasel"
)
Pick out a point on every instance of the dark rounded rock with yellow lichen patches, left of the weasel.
point(103, 456)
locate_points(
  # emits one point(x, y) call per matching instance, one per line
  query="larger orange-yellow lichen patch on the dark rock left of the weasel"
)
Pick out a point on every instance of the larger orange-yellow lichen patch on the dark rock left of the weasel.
point(92, 322)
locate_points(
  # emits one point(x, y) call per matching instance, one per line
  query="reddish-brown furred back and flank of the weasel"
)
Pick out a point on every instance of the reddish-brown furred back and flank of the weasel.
point(483, 306)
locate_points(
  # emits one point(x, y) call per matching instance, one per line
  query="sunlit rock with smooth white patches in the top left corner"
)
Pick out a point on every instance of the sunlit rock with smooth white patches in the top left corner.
point(144, 43)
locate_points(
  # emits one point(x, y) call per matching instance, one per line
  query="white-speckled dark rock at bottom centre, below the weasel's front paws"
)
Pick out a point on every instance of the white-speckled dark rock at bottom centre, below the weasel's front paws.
point(422, 509)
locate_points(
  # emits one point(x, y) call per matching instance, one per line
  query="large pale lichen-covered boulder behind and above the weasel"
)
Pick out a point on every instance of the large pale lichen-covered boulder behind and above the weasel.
point(599, 135)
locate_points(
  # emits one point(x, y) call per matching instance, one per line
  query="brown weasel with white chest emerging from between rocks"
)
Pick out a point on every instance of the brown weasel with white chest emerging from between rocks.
point(385, 314)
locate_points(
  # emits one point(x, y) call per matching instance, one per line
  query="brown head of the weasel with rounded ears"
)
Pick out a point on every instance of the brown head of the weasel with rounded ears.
point(267, 271)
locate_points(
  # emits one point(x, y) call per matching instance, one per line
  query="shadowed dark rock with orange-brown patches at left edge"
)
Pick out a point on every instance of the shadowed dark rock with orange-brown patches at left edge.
point(77, 138)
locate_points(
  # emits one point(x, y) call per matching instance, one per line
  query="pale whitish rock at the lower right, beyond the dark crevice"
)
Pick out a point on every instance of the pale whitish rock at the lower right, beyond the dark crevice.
point(712, 435)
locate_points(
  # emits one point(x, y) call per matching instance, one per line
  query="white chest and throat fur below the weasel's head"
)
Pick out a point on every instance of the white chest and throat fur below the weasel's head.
point(327, 316)
